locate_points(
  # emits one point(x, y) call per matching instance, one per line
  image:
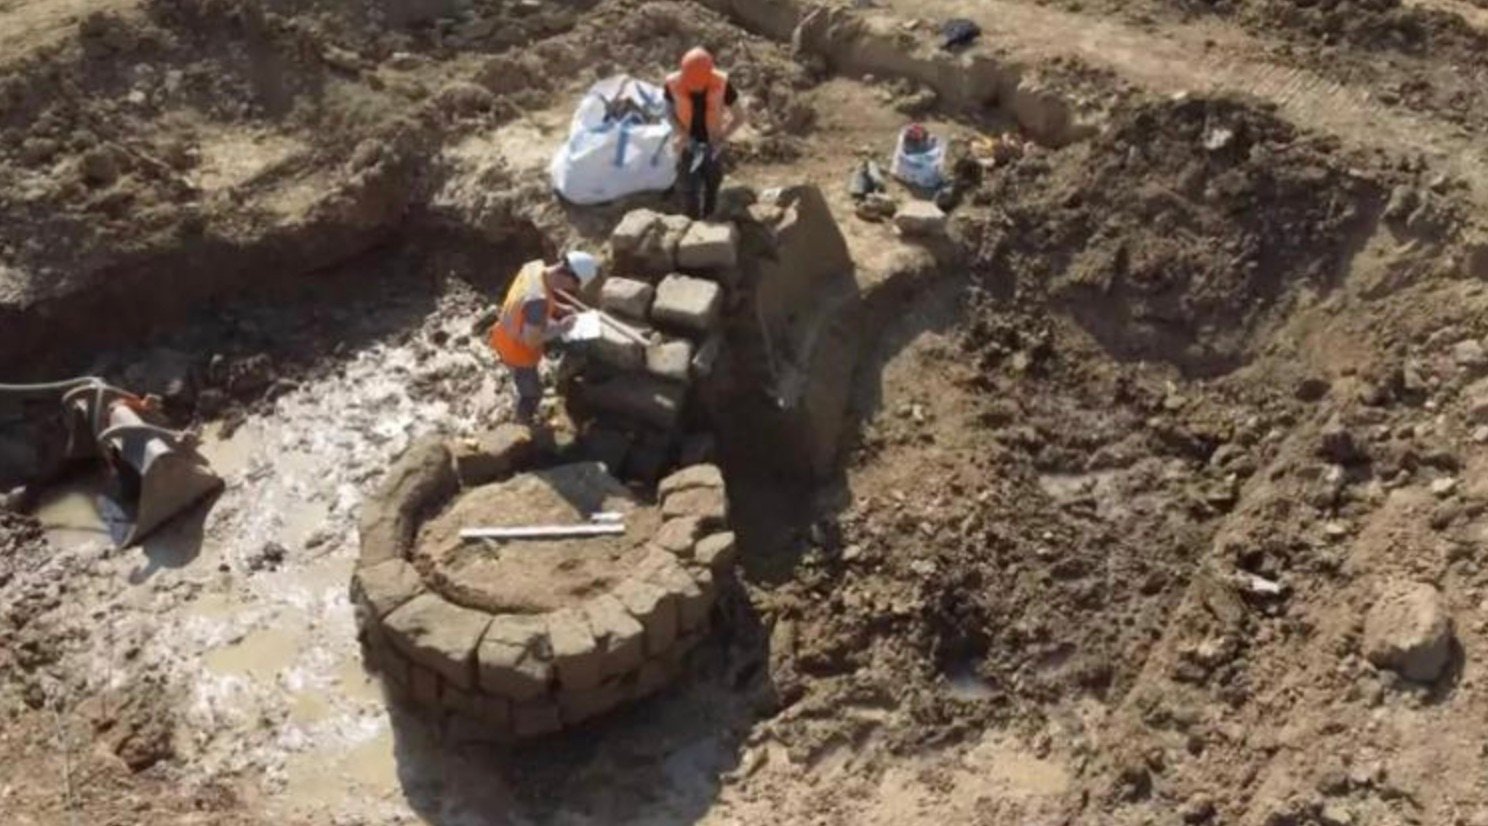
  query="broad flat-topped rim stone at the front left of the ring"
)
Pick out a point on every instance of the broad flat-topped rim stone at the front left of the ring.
point(440, 636)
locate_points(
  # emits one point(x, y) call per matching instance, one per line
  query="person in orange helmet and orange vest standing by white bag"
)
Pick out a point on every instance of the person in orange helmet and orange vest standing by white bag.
point(706, 114)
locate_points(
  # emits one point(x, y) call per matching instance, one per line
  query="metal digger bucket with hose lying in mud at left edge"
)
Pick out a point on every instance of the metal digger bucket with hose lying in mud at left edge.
point(158, 473)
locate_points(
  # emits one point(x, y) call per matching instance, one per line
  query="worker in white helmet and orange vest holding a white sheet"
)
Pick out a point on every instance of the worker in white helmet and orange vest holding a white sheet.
point(530, 319)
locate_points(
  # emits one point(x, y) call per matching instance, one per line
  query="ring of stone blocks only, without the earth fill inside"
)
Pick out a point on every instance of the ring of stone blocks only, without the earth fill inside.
point(517, 675)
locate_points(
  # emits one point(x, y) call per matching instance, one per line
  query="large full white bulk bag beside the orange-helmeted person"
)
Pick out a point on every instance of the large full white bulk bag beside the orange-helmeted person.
point(608, 159)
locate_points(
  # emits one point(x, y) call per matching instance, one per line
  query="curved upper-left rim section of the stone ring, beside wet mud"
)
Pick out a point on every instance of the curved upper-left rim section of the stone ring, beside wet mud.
point(423, 477)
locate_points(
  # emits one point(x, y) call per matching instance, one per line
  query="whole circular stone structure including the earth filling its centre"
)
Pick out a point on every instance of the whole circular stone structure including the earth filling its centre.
point(527, 638)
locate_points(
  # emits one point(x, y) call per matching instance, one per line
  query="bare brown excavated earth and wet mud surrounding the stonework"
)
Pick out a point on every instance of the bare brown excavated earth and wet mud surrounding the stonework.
point(1164, 496)
